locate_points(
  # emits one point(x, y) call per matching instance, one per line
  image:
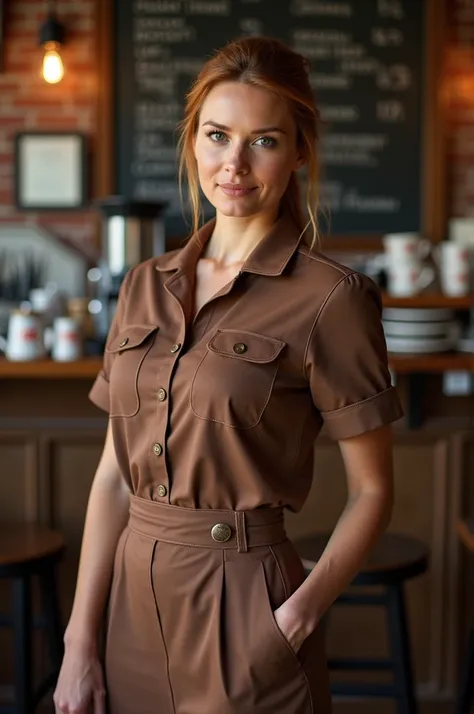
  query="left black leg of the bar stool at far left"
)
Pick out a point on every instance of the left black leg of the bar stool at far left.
point(22, 644)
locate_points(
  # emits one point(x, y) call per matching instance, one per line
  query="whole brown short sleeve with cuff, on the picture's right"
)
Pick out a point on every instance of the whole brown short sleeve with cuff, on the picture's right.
point(346, 361)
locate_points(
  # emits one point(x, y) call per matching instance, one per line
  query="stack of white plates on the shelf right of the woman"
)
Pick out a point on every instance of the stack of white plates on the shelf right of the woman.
point(420, 330)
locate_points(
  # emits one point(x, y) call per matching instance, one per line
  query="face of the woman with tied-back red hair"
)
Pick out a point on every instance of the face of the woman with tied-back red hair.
point(245, 148)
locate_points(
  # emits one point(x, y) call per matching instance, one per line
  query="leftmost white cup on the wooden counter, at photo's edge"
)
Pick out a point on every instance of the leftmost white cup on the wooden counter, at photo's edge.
point(24, 339)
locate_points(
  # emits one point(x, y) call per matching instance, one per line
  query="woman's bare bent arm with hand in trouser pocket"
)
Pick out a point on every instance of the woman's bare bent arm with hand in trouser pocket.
point(368, 464)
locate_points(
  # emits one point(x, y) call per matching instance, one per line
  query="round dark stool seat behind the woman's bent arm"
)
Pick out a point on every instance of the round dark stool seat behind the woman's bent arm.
point(395, 558)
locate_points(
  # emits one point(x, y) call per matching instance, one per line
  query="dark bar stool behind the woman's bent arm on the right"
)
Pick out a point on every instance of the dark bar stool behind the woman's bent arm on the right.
point(394, 560)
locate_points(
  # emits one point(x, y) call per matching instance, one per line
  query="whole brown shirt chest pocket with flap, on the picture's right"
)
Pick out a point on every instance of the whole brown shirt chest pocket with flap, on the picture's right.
point(233, 382)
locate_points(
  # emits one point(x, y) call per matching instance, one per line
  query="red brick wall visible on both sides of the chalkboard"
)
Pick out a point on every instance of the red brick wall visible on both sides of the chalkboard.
point(27, 102)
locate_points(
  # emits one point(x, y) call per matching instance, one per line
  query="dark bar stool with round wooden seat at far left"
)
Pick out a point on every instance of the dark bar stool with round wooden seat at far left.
point(28, 551)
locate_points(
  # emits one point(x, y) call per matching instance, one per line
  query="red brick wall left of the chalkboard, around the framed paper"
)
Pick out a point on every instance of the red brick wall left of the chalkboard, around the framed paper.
point(27, 102)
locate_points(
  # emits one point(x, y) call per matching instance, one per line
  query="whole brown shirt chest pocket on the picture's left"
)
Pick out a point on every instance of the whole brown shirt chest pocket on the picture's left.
point(129, 347)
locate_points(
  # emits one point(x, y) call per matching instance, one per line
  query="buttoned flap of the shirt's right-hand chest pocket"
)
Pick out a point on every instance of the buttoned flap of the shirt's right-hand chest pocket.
point(248, 346)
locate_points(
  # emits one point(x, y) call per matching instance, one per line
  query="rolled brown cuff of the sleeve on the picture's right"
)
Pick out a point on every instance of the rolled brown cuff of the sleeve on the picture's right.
point(382, 408)
